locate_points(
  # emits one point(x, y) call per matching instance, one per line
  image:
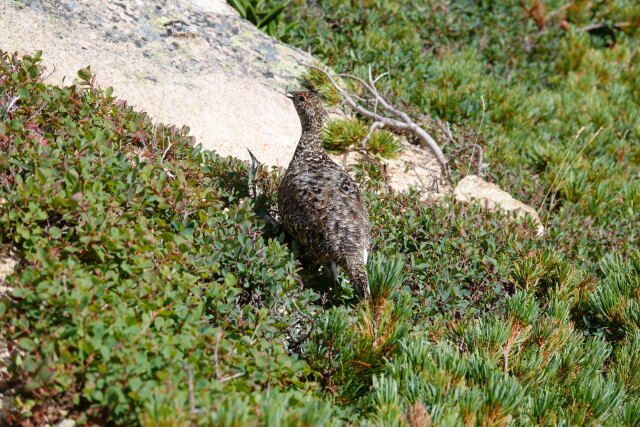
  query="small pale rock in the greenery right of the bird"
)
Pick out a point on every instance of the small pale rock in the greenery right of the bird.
point(493, 198)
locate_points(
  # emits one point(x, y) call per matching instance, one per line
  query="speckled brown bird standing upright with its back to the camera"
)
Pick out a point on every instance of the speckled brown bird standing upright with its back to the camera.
point(320, 205)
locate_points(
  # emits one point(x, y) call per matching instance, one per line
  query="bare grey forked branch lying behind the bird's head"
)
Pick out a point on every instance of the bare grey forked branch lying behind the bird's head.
point(402, 122)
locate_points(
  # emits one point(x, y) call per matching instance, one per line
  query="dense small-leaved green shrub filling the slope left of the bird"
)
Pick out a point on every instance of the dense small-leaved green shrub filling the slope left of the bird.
point(142, 274)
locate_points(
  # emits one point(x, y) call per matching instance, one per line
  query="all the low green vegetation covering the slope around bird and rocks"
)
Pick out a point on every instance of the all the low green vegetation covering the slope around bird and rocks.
point(149, 290)
